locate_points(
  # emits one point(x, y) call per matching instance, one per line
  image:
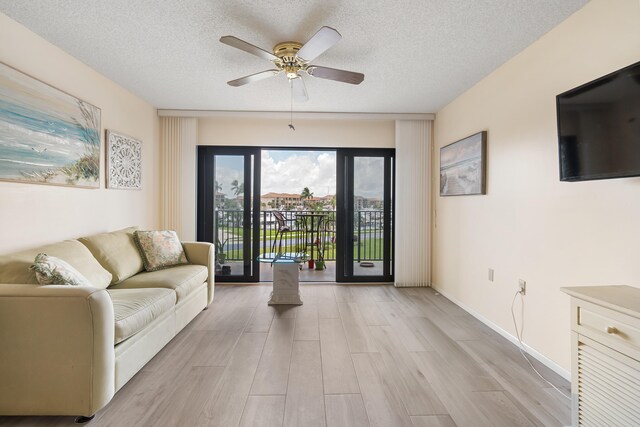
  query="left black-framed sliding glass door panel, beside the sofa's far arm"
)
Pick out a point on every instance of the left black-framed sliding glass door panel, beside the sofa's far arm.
point(229, 209)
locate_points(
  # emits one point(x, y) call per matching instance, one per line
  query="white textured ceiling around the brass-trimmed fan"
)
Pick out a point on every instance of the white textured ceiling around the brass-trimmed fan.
point(417, 55)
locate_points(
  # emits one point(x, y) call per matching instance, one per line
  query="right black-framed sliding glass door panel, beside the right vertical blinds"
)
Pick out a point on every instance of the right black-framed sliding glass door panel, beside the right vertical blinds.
point(365, 215)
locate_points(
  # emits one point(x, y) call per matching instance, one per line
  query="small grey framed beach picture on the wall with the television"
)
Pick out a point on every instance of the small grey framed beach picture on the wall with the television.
point(463, 166)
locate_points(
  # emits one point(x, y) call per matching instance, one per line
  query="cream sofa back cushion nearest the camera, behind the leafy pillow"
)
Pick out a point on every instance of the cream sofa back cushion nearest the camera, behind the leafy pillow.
point(14, 268)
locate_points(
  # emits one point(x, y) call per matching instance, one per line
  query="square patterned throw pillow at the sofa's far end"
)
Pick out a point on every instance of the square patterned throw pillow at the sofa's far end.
point(159, 249)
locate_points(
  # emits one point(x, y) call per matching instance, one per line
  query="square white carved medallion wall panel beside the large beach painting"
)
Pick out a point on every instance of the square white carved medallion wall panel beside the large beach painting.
point(124, 162)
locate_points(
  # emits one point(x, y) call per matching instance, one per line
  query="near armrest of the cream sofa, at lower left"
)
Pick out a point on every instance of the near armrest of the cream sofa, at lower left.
point(56, 350)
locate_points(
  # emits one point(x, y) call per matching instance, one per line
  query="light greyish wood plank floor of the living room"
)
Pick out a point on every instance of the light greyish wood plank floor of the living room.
point(352, 355)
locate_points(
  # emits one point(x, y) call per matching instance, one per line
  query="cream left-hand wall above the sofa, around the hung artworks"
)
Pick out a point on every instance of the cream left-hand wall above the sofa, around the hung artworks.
point(32, 214)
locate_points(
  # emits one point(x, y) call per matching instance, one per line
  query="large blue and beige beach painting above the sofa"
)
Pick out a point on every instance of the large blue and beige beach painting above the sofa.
point(46, 136)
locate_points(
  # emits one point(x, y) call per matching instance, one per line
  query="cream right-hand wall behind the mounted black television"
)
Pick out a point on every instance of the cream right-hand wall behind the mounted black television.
point(530, 225)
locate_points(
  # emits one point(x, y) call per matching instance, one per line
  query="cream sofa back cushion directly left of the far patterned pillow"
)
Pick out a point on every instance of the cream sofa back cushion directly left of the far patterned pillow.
point(116, 252)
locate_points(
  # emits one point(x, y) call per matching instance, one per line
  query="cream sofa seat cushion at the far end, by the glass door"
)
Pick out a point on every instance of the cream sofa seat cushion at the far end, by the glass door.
point(182, 278)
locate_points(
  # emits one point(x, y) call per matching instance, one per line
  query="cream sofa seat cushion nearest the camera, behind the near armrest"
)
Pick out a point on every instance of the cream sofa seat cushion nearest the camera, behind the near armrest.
point(135, 309)
